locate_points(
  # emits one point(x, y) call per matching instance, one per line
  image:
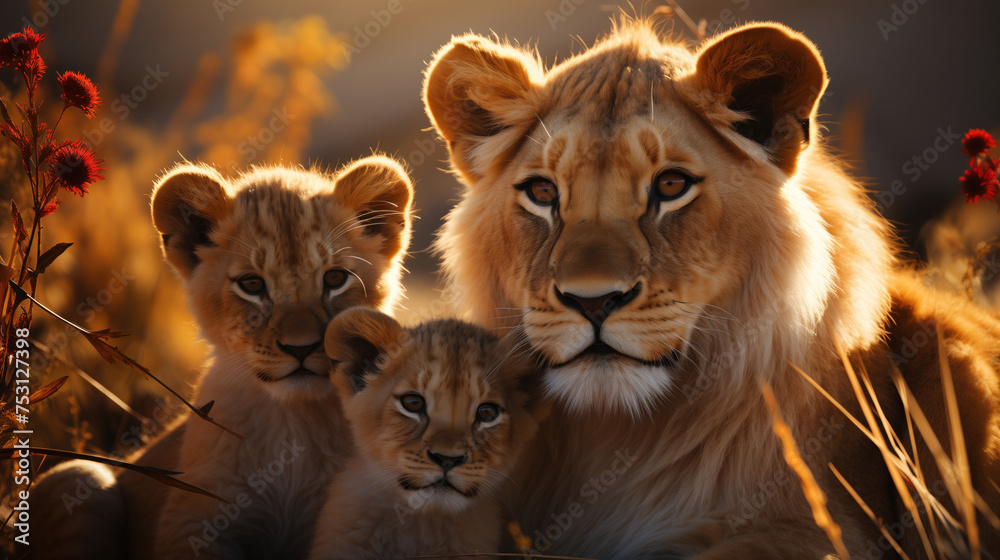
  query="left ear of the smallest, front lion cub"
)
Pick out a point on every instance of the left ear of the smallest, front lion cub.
point(354, 342)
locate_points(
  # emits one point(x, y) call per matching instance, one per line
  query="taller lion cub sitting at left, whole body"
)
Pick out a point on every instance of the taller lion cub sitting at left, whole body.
point(267, 259)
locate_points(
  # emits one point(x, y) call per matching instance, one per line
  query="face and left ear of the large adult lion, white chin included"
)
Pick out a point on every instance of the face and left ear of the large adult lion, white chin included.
point(609, 207)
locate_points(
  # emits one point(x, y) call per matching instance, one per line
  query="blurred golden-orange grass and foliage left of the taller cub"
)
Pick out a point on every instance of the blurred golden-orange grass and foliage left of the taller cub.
point(114, 276)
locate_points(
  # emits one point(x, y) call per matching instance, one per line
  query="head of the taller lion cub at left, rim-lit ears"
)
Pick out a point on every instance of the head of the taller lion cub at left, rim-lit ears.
point(268, 259)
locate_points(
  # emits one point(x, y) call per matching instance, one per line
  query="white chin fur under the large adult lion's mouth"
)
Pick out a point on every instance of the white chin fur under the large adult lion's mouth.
point(612, 385)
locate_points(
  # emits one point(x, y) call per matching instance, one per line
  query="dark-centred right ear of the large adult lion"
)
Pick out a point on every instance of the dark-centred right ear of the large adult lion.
point(763, 81)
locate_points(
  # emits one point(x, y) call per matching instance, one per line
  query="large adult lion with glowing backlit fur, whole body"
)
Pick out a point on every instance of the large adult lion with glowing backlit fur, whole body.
point(677, 235)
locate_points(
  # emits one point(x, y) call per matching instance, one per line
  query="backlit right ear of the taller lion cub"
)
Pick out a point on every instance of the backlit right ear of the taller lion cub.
point(380, 191)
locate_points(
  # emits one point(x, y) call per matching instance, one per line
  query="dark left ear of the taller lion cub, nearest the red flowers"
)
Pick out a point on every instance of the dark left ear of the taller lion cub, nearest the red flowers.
point(188, 202)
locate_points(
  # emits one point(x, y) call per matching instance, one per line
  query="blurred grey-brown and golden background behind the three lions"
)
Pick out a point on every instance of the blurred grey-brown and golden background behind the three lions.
point(300, 82)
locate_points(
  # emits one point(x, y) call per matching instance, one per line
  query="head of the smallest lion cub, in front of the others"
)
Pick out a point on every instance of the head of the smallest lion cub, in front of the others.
point(438, 408)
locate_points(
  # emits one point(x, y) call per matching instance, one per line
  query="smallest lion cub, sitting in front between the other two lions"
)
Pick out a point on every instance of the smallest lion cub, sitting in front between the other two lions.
point(440, 412)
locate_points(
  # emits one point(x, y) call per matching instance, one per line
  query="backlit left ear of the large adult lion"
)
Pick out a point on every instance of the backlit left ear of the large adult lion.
point(477, 88)
